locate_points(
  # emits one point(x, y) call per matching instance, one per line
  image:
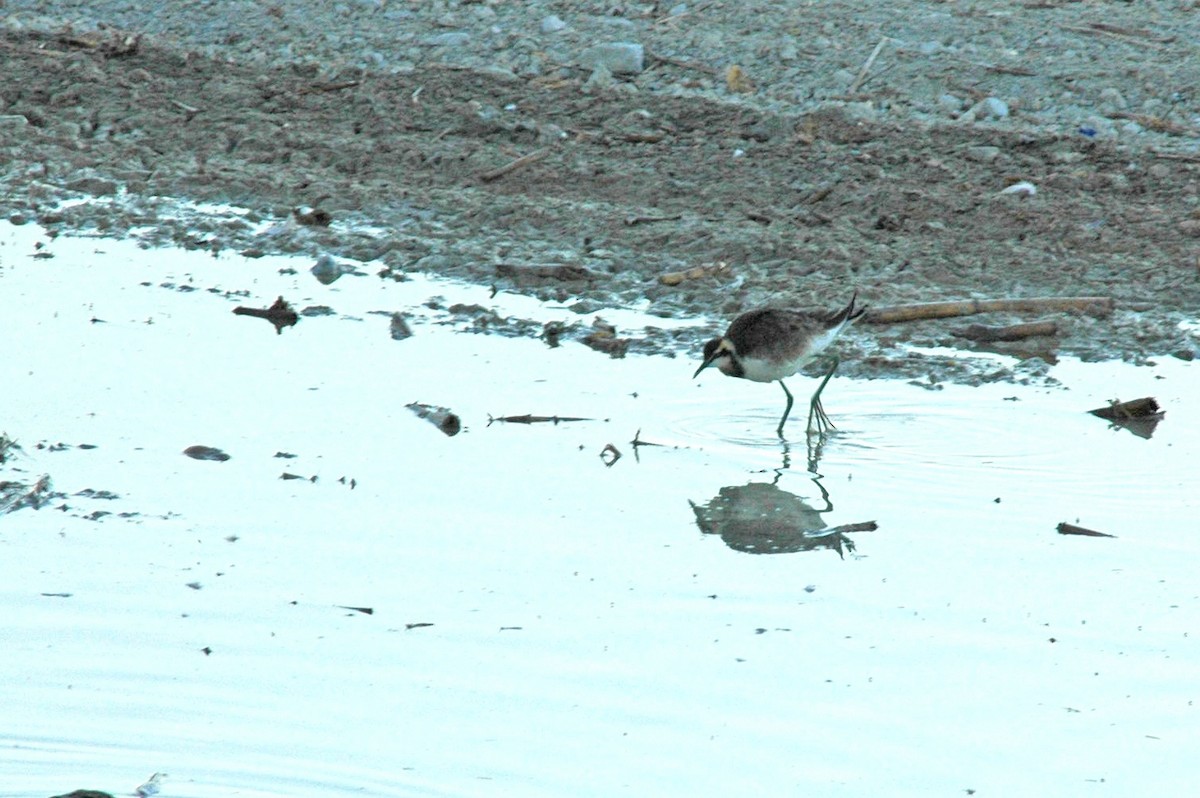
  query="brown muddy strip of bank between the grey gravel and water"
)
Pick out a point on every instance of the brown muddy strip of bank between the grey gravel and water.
point(561, 185)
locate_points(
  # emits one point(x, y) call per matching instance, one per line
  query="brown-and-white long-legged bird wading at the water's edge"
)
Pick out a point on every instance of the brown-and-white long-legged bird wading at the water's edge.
point(770, 344)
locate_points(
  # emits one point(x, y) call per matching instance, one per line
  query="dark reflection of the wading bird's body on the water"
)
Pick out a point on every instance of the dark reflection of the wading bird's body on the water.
point(763, 519)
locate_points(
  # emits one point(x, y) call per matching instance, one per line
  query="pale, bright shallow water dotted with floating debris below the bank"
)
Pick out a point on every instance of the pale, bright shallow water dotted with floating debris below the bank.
point(544, 625)
